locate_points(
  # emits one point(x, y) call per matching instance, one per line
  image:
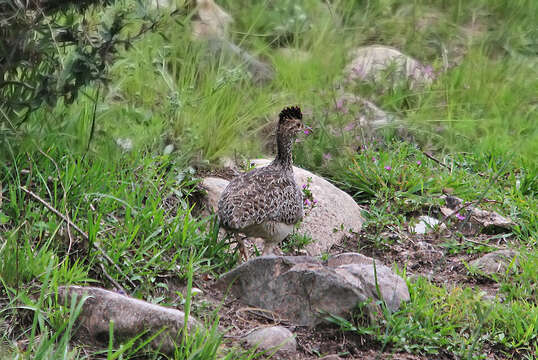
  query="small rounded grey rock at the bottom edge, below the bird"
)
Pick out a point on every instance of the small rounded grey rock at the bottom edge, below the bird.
point(274, 338)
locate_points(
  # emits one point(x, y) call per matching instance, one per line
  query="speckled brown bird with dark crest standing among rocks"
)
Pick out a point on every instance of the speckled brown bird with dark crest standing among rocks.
point(266, 202)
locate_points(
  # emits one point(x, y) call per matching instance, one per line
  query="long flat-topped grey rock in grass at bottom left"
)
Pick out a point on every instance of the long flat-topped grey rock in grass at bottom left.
point(131, 317)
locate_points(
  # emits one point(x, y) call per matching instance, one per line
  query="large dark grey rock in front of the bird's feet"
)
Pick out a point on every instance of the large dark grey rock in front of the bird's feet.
point(296, 287)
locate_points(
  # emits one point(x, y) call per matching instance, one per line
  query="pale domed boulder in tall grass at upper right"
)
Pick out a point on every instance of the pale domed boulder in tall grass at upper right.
point(381, 63)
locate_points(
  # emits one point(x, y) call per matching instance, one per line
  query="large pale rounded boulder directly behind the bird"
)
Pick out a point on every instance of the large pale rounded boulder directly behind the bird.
point(336, 213)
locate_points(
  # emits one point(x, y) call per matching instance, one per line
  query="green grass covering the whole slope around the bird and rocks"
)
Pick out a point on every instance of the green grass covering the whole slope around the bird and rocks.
point(478, 119)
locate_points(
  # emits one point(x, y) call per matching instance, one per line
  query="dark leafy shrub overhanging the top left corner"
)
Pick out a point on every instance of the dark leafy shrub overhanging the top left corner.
point(48, 51)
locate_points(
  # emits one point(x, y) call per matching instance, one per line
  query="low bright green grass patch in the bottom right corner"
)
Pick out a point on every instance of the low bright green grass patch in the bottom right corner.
point(451, 321)
